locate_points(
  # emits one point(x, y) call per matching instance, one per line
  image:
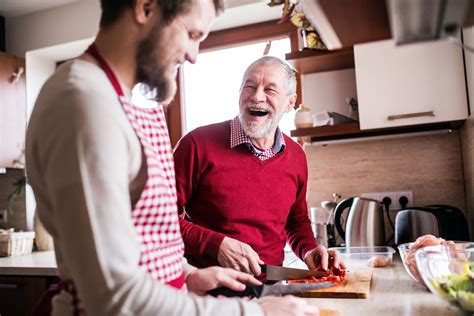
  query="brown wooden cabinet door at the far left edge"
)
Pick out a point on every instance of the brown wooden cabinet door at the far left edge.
point(12, 109)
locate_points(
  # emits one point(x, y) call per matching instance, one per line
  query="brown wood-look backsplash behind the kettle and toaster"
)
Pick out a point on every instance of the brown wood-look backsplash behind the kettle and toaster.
point(429, 166)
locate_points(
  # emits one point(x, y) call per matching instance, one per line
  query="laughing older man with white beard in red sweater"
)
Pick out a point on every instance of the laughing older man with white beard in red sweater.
point(242, 183)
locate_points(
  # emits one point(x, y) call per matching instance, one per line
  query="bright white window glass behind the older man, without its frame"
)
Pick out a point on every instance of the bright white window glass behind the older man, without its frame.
point(211, 86)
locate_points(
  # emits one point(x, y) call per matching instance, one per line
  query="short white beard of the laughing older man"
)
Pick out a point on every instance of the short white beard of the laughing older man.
point(263, 129)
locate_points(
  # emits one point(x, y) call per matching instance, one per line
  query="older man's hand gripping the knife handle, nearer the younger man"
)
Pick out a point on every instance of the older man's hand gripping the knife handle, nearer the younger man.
point(239, 256)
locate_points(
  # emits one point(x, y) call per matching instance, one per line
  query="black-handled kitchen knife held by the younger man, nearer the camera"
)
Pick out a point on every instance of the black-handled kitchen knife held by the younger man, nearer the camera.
point(275, 289)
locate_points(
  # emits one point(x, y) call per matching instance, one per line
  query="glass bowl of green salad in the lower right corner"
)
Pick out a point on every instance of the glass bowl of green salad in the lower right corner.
point(448, 271)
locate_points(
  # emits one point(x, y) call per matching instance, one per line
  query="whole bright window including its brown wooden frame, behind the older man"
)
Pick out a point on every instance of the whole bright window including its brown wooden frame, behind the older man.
point(204, 108)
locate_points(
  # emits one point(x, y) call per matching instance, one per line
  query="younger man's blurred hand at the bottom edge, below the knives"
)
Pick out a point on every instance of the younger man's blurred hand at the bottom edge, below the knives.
point(287, 306)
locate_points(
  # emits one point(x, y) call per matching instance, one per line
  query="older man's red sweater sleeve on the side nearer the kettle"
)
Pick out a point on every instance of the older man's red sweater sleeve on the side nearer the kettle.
point(298, 226)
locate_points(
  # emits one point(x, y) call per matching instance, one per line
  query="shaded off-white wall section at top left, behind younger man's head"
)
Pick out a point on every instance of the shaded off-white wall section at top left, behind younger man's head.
point(51, 27)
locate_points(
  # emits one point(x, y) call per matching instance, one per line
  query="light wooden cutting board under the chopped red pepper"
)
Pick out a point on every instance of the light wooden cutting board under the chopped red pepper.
point(355, 285)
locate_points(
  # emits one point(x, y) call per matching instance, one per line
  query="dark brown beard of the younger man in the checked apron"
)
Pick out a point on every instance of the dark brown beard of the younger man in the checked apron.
point(150, 73)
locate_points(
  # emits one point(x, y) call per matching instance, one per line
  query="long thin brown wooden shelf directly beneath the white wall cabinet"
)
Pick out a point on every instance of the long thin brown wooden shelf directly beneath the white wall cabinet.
point(352, 130)
